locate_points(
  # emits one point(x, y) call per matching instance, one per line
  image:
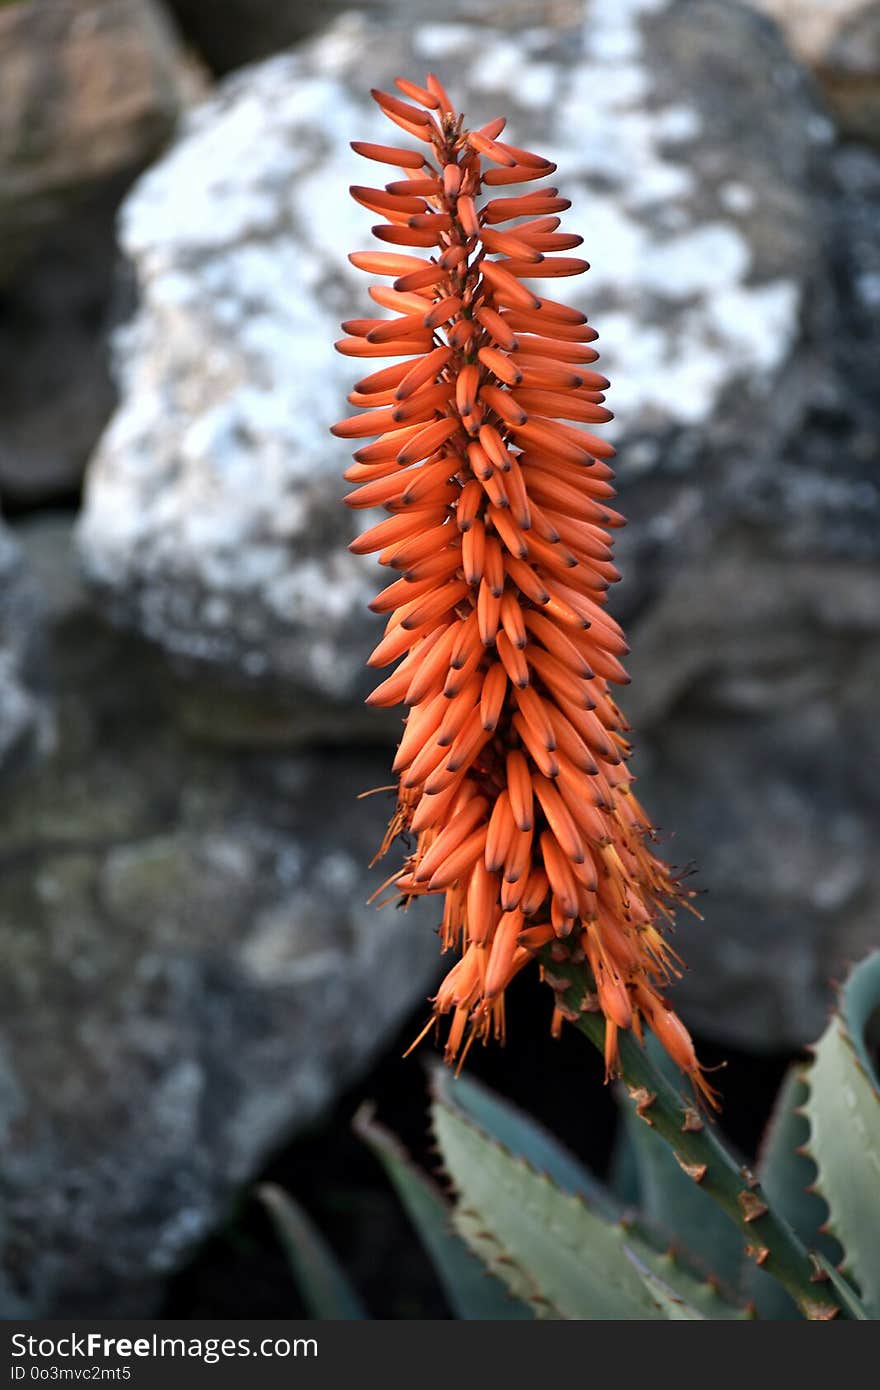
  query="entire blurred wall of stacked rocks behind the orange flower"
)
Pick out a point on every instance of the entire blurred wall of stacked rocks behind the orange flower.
point(191, 974)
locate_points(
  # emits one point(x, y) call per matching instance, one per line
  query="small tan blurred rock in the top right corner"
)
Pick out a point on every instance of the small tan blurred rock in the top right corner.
point(840, 41)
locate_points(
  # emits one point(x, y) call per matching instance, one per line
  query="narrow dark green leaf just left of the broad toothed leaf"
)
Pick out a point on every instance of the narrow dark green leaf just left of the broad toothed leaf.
point(472, 1291)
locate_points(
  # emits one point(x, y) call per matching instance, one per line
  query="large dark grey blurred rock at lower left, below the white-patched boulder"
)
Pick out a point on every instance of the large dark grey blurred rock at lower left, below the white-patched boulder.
point(191, 971)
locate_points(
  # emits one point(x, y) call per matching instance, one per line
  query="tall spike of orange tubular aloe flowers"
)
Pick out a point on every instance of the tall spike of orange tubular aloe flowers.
point(512, 767)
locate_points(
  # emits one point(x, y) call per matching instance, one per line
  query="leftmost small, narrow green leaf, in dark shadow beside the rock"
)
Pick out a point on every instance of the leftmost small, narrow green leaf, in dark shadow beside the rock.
point(322, 1282)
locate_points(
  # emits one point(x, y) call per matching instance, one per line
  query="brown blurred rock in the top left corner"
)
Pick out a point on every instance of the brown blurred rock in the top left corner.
point(91, 90)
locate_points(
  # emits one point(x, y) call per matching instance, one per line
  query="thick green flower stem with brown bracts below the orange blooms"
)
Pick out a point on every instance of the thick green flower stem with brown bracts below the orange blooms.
point(703, 1154)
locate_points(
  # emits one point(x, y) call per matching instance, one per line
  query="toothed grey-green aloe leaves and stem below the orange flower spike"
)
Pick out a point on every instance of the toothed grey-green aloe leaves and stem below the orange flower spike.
point(530, 1234)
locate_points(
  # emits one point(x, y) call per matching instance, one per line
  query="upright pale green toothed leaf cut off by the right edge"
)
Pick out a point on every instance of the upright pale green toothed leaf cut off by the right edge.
point(843, 1111)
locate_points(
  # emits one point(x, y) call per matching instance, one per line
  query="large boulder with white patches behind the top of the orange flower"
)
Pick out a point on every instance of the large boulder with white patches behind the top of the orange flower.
point(212, 519)
